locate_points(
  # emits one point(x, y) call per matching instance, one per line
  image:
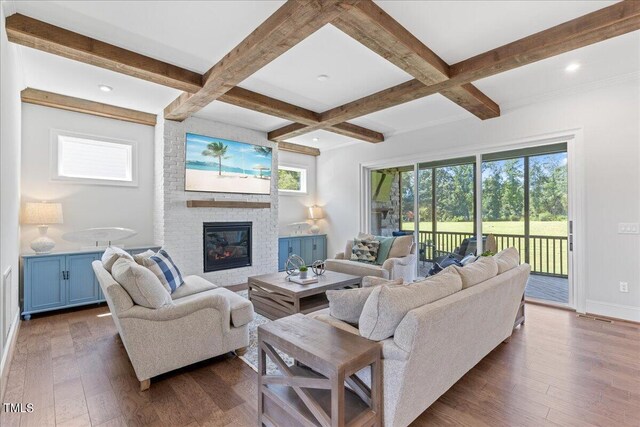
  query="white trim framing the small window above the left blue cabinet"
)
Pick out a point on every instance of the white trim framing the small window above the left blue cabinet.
point(54, 159)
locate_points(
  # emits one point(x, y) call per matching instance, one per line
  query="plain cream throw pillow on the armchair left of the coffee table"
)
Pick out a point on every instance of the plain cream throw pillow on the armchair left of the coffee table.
point(141, 284)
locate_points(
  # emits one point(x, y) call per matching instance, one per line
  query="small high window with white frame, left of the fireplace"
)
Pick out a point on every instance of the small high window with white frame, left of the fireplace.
point(93, 160)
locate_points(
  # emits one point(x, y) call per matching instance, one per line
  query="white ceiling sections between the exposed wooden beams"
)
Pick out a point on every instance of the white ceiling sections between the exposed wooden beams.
point(196, 35)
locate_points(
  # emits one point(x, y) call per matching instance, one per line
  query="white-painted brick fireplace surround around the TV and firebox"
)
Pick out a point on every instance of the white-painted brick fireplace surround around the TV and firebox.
point(179, 229)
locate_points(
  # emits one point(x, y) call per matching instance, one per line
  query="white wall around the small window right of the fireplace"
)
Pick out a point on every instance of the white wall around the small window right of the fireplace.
point(293, 206)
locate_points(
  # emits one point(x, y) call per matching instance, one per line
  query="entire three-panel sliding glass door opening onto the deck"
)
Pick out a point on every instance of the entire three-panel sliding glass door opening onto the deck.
point(524, 204)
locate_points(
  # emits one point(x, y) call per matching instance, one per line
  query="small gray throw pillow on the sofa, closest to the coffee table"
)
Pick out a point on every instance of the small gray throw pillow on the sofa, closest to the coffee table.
point(347, 304)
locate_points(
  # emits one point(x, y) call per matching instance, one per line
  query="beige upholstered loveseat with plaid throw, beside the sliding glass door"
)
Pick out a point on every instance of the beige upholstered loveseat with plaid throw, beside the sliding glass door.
point(395, 267)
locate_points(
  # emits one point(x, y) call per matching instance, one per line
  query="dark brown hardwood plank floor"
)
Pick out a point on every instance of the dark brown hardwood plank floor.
point(557, 370)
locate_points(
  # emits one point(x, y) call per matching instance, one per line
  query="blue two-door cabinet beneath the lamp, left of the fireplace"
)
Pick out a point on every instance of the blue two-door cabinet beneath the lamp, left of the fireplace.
point(64, 280)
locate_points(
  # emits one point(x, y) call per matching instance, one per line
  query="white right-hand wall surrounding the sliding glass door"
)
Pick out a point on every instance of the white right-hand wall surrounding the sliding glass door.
point(609, 118)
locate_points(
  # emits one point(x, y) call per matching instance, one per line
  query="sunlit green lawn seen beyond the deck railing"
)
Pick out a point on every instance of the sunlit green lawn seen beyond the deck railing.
point(538, 228)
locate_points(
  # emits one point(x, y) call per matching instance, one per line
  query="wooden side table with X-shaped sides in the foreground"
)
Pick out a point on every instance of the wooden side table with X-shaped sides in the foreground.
point(313, 392)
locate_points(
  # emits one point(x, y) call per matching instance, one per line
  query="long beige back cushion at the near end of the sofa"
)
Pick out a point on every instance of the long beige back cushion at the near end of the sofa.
point(386, 306)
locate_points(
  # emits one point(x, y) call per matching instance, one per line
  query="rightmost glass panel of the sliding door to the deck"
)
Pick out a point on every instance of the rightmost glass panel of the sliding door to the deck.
point(525, 205)
